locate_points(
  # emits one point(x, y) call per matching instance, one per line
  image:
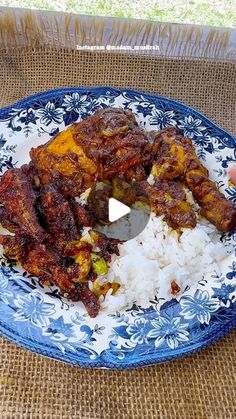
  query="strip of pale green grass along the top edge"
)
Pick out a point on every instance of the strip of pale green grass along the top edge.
point(215, 12)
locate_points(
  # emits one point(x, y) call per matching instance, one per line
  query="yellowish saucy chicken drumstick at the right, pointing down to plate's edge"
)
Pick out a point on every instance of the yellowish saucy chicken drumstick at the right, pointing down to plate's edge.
point(176, 158)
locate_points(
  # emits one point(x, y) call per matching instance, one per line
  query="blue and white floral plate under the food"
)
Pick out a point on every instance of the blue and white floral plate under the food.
point(36, 318)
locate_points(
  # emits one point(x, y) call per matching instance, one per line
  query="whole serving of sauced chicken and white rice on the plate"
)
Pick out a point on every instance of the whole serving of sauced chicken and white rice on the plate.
point(51, 210)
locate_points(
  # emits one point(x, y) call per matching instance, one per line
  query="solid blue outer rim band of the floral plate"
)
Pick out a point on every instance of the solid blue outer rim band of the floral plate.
point(151, 359)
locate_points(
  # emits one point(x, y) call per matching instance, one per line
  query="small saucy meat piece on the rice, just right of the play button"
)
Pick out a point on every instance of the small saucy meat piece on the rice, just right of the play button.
point(168, 198)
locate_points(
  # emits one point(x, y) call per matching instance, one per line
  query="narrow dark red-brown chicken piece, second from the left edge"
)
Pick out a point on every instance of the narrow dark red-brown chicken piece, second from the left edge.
point(57, 216)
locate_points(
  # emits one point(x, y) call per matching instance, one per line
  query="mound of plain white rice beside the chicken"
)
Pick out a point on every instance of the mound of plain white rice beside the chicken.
point(150, 262)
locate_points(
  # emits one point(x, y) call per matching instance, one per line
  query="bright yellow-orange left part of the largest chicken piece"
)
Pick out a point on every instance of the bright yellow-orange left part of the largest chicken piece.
point(63, 163)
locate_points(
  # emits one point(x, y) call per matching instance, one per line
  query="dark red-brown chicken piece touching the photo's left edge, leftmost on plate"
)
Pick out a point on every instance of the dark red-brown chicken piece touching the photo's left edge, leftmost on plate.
point(18, 200)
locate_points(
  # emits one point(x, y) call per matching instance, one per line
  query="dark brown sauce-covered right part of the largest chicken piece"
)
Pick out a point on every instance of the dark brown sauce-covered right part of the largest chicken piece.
point(113, 139)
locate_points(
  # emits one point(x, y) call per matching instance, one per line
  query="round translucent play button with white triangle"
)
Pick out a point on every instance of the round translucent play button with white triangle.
point(120, 209)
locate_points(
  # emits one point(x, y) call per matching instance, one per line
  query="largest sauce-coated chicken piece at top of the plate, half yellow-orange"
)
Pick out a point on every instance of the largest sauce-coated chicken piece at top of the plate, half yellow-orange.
point(107, 143)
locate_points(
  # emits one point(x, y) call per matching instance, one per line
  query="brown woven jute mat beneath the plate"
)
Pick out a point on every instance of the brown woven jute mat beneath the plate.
point(198, 386)
